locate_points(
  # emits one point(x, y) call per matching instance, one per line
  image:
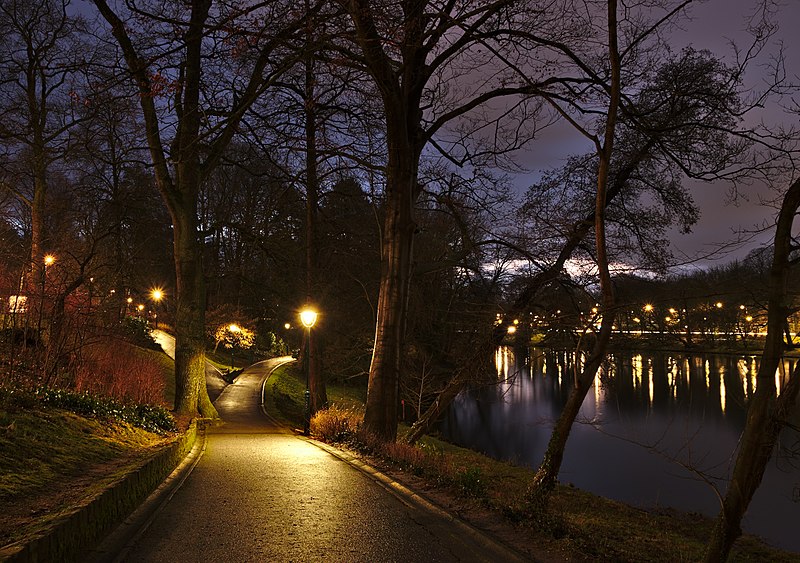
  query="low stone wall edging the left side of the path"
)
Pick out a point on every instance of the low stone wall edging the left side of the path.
point(88, 525)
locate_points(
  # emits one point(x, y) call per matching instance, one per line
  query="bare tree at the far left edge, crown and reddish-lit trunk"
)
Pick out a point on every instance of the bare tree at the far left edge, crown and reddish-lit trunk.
point(42, 95)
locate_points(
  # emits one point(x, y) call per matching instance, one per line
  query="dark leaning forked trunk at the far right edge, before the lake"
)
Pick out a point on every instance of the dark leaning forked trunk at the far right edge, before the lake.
point(766, 414)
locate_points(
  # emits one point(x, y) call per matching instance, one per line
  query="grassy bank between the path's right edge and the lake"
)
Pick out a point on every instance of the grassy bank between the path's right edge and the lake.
point(577, 526)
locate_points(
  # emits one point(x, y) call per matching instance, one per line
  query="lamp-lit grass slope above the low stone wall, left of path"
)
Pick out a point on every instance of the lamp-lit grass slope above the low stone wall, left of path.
point(52, 460)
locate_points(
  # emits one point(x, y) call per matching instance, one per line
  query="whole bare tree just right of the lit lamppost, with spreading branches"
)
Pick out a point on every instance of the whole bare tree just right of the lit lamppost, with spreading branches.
point(415, 52)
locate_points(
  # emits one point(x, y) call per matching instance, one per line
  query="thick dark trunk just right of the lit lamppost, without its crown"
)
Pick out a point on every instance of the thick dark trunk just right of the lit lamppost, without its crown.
point(401, 92)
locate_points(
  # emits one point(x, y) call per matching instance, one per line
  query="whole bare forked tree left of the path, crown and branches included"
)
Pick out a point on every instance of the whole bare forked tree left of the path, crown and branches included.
point(195, 82)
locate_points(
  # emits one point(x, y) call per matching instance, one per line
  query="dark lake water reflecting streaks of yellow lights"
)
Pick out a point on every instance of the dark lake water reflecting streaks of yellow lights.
point(647, 429)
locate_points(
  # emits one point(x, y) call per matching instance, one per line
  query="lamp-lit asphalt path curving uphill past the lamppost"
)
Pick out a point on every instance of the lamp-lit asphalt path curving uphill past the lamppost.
point(259, 492)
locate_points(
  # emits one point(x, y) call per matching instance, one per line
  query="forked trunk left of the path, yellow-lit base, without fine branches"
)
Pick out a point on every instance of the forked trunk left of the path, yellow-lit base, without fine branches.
point(178, 178)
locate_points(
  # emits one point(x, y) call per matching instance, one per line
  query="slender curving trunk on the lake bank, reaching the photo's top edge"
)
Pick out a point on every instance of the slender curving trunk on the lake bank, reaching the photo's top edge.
point(547, 474)
